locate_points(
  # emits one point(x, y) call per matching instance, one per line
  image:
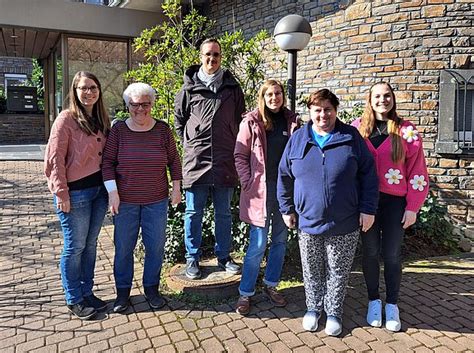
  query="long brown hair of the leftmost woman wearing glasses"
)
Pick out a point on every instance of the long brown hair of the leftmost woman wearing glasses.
point(99, 113)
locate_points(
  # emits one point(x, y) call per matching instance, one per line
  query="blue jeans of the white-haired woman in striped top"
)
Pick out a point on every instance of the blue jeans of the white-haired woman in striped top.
point(152, 220)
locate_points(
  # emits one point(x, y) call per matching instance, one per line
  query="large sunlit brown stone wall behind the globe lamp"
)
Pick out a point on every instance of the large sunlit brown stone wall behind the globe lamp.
point(357, 43)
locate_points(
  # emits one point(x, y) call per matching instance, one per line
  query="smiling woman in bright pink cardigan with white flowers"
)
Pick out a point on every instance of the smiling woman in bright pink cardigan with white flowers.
point(403, 184)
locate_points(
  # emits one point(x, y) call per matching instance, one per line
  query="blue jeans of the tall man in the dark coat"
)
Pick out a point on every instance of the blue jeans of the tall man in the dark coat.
point(196, 199)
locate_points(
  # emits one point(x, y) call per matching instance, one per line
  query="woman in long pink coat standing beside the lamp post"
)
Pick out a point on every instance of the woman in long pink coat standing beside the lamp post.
point(262, 137)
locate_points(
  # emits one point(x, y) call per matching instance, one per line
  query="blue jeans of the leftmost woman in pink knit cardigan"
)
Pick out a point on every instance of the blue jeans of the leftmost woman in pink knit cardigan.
point(81, 227)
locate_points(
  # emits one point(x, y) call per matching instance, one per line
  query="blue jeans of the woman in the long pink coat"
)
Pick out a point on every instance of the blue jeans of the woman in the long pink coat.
point(257, 247)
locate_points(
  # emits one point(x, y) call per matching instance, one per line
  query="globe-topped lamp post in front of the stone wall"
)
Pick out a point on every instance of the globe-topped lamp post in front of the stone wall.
point(292, 33)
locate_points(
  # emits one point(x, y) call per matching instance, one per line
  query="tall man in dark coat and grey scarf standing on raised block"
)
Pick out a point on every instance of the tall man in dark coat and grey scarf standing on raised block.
point(208, 110)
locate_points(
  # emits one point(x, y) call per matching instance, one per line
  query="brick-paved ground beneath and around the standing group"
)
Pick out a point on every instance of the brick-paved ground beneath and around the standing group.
point(437, 299)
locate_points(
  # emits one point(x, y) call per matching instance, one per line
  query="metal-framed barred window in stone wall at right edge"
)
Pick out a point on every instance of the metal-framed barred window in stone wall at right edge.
point(456, 112)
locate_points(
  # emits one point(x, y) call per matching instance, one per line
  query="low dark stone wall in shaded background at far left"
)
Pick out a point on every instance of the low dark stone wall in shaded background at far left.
point(17, 129)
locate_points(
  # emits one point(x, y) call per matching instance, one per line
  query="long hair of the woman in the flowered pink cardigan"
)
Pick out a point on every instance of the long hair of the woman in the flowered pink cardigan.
point(367, 123)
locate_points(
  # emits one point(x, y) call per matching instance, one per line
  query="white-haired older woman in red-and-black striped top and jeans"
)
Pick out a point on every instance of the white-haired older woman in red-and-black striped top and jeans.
point(137, 155)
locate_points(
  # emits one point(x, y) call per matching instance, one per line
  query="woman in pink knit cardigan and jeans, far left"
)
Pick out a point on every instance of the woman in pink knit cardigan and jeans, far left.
point(72, 165)
